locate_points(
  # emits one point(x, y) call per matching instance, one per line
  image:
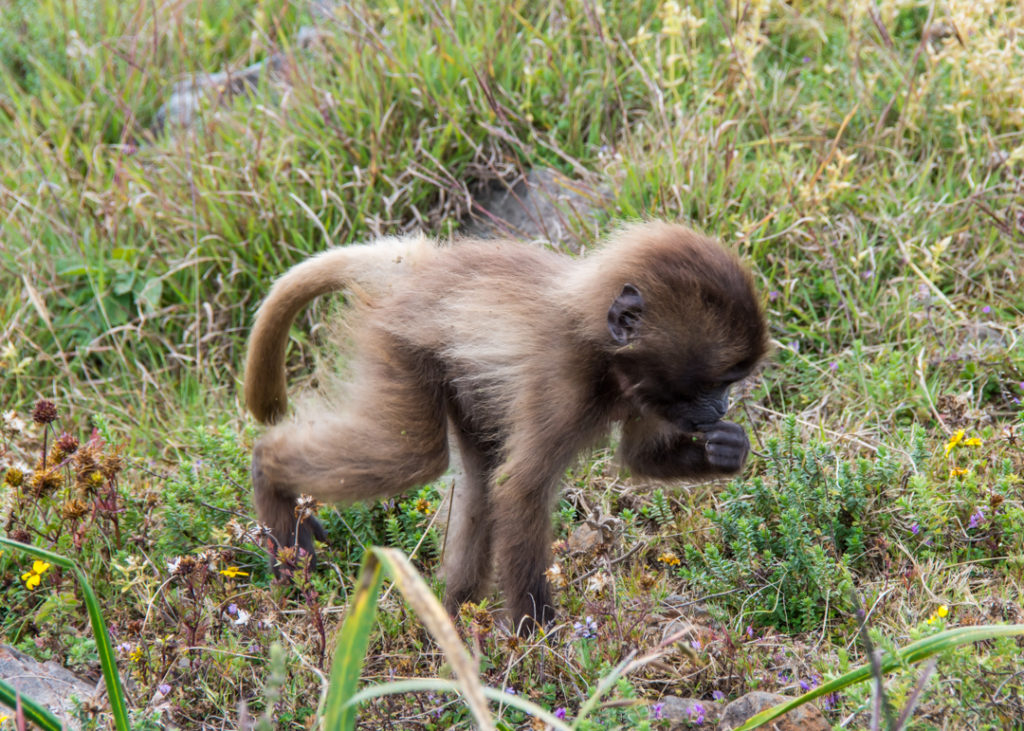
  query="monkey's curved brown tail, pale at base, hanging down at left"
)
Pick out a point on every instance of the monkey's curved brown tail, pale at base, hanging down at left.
point(371, 268)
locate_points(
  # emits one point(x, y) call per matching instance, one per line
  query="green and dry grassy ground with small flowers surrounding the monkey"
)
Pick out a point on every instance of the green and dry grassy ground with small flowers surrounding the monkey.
point(872, 179)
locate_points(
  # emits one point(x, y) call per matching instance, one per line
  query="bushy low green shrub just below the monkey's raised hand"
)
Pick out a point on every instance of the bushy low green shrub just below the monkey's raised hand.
point(790, 539)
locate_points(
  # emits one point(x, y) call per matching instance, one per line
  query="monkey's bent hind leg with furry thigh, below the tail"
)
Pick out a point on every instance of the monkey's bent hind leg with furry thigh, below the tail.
point(392, 438)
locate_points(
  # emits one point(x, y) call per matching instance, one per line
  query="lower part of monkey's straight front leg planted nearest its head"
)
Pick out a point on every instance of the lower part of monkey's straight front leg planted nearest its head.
point(523, 503)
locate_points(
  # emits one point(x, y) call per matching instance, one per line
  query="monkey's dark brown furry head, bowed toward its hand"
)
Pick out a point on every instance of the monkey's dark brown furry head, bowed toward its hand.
point(684, 325)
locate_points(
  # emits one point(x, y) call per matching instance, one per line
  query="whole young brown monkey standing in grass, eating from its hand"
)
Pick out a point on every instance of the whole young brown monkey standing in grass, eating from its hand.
point(511, 346)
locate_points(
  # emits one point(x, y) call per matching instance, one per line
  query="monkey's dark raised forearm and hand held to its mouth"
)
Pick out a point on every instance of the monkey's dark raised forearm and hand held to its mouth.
point(654, 448)
